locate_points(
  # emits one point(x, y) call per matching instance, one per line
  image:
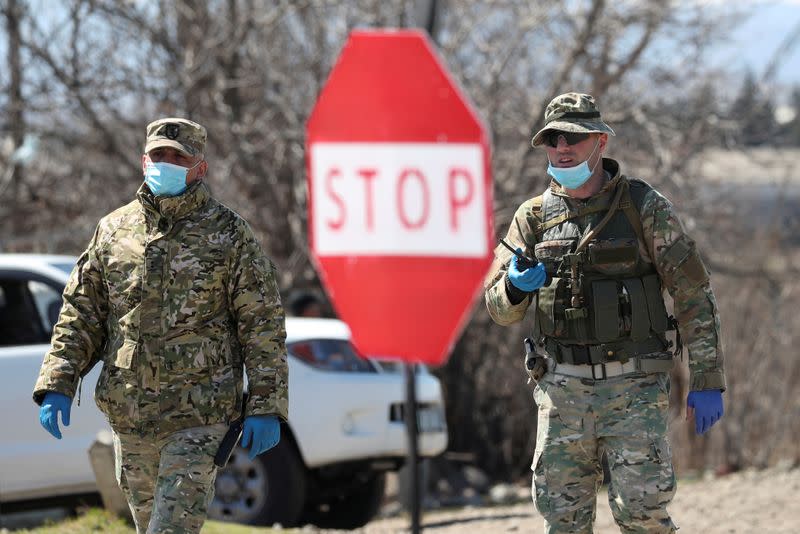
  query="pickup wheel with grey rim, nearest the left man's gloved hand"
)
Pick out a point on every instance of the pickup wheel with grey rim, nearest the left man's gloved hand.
point(268, 490)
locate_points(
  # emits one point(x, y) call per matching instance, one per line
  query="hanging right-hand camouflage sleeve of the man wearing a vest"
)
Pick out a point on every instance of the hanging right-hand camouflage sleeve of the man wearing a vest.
point(685, 277)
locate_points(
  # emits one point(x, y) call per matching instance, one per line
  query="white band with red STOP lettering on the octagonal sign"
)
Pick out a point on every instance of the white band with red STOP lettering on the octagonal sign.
point(398, 199)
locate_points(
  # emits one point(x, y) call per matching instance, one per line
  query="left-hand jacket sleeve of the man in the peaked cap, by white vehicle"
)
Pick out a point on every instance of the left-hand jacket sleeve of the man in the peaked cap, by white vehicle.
point(80, 333)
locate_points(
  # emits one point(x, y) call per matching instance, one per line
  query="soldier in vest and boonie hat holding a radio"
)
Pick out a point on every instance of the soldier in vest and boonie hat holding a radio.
point(606, 246)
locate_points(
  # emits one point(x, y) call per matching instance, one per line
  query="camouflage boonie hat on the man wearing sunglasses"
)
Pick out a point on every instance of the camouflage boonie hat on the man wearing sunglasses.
point(572, 112)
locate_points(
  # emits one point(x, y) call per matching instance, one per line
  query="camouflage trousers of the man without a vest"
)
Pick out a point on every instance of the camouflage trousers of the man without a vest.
point(169, 481)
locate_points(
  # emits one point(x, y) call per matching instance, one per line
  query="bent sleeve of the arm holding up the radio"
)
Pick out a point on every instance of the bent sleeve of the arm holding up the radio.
point(501, 309)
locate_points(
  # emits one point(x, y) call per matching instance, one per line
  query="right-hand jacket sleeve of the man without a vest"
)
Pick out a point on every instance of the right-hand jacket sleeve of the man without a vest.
point(260, 325)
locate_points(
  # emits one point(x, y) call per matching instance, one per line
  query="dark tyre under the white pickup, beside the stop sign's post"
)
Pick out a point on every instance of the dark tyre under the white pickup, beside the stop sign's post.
point(353, 509)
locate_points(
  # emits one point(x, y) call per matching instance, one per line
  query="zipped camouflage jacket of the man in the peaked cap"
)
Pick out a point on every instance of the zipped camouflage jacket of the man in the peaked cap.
point(175, 296)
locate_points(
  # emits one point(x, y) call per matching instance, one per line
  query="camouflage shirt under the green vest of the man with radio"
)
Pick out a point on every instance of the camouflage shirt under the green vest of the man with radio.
point(694, 305)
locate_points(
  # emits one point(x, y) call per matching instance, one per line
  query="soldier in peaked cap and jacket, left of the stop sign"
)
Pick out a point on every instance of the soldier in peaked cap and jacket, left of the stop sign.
point(177, 299)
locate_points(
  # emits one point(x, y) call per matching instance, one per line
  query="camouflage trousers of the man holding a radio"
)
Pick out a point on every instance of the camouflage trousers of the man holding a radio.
point(579, 421)
